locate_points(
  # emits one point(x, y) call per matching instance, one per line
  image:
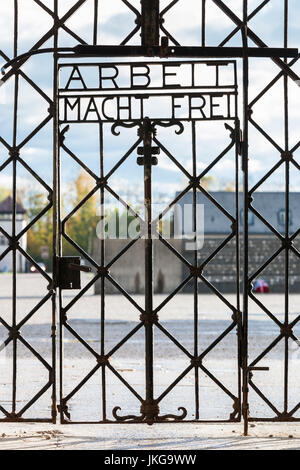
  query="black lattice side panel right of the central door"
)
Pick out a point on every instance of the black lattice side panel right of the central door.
point(287, 239)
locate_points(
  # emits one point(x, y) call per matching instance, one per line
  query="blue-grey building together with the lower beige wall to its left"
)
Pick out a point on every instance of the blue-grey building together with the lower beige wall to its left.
point(213, 227)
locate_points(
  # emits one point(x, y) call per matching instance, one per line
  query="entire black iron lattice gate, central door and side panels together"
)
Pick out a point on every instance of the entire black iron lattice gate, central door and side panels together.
point(150, 24)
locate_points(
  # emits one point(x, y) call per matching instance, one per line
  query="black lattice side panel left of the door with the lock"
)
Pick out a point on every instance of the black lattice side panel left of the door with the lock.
point(14, 326)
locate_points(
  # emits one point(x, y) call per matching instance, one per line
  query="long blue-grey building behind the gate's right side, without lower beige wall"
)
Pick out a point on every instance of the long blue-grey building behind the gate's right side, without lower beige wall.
point(263, 243)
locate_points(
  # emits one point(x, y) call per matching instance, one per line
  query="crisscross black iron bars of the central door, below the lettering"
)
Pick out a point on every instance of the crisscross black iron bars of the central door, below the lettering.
point(149, 317)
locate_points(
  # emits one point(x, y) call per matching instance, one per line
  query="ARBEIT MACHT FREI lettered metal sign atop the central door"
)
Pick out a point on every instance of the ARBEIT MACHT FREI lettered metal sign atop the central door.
point(110, 92)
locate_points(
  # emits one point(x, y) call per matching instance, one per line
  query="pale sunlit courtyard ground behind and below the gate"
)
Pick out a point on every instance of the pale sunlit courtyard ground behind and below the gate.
point(128, 361)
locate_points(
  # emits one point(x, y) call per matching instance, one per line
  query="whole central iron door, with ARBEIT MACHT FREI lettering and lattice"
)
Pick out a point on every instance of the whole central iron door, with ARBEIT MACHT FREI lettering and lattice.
point(145, 152)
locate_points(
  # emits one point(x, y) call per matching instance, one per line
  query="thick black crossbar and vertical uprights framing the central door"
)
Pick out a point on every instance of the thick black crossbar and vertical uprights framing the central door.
point(150, 22)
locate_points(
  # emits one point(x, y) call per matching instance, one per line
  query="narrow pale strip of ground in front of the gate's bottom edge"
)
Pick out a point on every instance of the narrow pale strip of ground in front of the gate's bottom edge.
point(141, 437)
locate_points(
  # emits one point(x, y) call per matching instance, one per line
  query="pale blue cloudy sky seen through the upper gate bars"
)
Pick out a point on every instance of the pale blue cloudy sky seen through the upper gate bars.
point(115, 21)
